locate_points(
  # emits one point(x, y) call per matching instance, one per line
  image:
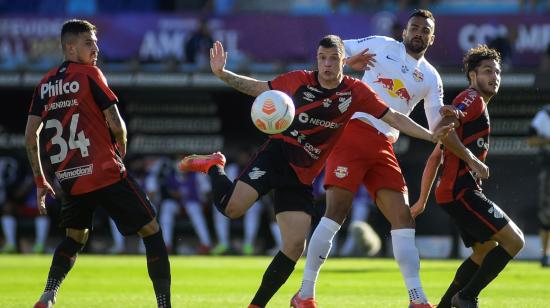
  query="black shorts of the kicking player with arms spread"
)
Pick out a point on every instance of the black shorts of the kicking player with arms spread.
point(267, 170)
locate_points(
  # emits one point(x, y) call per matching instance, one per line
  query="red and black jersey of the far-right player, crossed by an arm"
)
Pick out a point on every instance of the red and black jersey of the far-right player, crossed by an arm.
point(474, 133)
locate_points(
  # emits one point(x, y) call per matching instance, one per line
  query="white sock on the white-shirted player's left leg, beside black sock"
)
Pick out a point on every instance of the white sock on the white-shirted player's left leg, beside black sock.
point(317, 252)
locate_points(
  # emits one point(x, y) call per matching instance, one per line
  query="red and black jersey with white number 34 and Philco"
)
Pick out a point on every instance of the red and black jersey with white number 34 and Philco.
point(76, 145)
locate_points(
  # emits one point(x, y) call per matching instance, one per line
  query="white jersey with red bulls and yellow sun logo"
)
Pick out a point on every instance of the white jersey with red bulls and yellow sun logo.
point(400, 80)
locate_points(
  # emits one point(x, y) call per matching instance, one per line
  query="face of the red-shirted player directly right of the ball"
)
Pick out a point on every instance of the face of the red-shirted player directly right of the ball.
point(330, 63)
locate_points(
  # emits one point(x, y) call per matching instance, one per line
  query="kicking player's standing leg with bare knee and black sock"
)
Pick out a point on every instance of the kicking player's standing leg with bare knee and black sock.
point(294, 227)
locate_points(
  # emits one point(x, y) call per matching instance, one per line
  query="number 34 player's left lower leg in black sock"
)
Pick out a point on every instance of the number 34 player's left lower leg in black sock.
point(63, 260)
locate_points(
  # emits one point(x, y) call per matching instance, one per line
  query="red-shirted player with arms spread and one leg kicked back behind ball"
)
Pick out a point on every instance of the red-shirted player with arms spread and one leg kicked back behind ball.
point(289, 162)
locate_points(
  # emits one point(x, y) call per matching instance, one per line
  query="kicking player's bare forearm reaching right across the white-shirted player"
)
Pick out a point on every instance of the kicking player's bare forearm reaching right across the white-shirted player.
point(403, 123)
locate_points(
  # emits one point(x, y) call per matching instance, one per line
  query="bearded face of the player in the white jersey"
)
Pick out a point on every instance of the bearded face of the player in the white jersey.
point(419, 34)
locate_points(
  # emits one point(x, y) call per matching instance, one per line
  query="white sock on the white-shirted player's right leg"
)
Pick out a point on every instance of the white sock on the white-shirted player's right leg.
point(406, 255)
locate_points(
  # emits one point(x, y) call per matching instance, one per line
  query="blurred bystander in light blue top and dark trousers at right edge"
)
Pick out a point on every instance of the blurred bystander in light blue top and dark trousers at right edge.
point(540, 137)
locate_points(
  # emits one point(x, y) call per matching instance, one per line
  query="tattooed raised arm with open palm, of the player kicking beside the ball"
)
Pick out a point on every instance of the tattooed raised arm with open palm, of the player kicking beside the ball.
point(247, 85)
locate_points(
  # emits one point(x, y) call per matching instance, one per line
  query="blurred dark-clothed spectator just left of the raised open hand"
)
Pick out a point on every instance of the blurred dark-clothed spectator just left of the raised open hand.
point(197, 48)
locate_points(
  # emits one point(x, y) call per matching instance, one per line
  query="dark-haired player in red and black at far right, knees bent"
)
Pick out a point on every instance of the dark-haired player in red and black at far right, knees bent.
point(493, 236)
